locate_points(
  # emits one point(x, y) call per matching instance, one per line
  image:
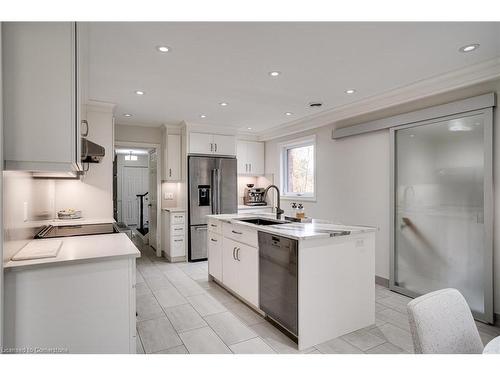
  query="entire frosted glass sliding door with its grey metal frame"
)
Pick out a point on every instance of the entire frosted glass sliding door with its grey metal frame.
point(442, 208)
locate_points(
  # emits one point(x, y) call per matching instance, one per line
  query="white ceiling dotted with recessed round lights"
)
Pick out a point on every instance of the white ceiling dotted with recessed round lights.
point(214, 62)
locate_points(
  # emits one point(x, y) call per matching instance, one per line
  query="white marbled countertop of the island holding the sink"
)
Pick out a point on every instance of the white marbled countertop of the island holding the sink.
point(300, 231)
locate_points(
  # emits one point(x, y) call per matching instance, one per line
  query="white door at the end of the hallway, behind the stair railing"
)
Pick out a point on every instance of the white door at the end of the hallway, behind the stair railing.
point(132, 185)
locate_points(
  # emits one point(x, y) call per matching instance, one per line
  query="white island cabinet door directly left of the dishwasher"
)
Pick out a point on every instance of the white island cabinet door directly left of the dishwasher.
point(248, 273)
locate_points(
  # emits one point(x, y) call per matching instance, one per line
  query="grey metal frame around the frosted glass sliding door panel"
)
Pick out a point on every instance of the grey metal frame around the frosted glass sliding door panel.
point(414, 121)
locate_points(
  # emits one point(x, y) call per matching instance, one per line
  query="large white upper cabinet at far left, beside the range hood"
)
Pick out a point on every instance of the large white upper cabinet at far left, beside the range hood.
point(41, 101)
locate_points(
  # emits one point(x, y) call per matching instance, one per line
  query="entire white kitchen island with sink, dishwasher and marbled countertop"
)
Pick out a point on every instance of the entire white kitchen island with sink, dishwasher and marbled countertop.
point(316, 281)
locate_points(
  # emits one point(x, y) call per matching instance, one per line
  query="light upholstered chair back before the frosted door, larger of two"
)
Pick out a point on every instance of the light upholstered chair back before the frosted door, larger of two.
point(441, 323)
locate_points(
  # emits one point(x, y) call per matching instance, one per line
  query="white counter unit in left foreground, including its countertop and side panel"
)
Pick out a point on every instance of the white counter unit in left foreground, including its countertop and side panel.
point(80, 301)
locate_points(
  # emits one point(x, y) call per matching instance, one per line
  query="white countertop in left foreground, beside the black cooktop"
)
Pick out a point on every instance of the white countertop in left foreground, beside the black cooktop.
point(83, 249)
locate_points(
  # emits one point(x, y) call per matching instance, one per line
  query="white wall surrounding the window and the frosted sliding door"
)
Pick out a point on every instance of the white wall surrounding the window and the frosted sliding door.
point(353, 176)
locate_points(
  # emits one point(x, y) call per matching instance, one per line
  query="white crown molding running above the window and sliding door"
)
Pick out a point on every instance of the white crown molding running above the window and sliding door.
point(468, 76)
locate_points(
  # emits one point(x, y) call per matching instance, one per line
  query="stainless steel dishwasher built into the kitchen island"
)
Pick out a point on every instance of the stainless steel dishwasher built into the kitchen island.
point(278, 280)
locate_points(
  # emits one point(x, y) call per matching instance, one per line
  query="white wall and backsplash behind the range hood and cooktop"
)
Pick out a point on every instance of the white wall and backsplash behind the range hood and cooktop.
point(94, 193)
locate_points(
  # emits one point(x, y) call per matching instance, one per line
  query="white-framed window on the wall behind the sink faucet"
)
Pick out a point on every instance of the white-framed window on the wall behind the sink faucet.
point(298, 159)
